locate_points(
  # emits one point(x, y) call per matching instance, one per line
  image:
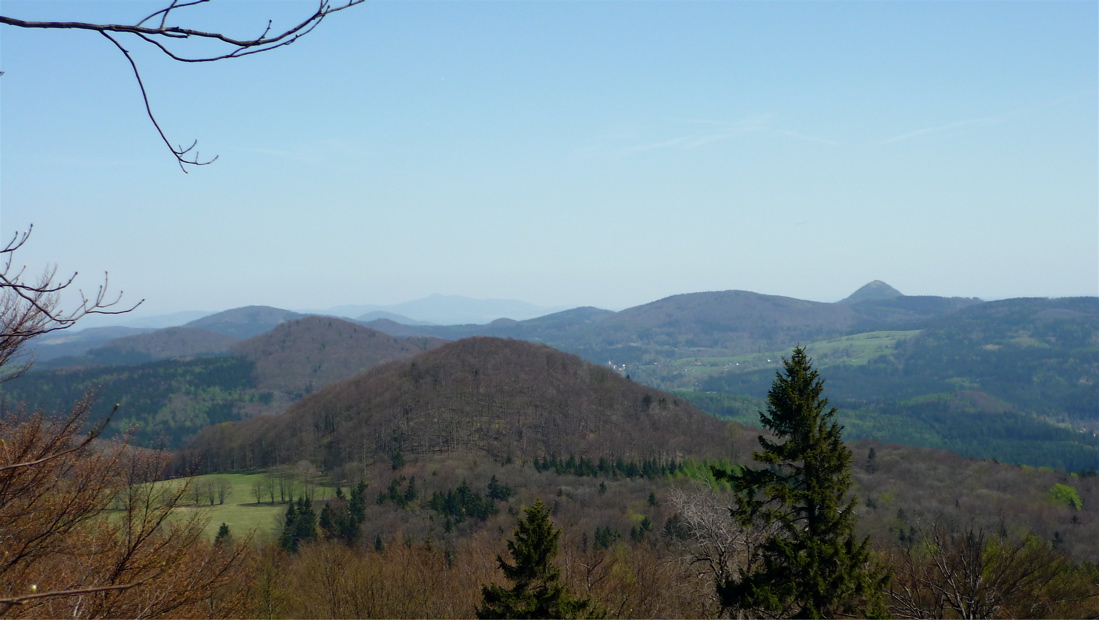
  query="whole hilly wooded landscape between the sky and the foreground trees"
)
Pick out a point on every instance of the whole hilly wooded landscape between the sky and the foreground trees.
point(413, 451)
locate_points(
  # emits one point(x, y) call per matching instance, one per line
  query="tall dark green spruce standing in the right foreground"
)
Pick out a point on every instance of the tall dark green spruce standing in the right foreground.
point(811, 566)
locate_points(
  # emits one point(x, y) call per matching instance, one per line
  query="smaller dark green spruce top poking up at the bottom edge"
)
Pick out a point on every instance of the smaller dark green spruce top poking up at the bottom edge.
point(537, 591)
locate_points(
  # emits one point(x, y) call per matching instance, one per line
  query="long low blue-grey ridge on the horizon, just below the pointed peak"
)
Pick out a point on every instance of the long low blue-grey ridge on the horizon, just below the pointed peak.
point(716, 324)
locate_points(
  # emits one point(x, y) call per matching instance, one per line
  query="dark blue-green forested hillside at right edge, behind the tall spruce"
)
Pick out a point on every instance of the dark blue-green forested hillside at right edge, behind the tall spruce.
point(1016, 380)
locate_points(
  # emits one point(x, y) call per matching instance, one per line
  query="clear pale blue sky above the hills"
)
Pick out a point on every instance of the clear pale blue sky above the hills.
point(563, 153)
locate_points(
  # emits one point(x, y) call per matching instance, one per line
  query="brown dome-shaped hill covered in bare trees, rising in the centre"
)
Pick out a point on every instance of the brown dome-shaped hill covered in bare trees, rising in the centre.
point(504, 398)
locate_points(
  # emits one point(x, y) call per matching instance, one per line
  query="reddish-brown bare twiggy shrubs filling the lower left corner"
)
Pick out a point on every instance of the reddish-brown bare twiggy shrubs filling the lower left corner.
point(66, 555)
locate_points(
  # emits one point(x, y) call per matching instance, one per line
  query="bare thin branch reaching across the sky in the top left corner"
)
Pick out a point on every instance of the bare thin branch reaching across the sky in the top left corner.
point(179, 42)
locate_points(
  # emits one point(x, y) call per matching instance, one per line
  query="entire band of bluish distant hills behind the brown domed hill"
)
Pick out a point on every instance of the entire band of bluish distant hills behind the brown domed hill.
point(919, 366)
